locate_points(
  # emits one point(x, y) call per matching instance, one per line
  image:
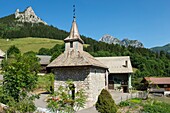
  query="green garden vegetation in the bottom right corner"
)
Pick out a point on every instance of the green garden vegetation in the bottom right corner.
point(144, 106)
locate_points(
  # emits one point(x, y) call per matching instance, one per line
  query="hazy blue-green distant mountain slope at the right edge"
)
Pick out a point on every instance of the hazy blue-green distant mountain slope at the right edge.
point(165, 48)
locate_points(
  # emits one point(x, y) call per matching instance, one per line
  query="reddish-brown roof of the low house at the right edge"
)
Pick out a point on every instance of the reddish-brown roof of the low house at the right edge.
point(157, 80)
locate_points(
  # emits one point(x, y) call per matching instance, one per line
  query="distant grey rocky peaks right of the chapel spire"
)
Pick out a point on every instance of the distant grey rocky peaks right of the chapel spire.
point(125, 42)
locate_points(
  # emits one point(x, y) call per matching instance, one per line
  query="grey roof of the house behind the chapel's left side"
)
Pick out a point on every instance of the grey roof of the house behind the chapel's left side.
point(44, 59)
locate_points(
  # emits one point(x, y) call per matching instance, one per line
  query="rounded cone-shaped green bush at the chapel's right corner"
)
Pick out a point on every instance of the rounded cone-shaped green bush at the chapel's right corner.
point(105, 103)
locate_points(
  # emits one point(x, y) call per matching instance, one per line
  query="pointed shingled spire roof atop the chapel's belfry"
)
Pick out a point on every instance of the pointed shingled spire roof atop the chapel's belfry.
point(74, 33)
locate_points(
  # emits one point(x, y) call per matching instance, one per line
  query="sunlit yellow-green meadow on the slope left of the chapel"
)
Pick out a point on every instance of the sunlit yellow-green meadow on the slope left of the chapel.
point(29, 44)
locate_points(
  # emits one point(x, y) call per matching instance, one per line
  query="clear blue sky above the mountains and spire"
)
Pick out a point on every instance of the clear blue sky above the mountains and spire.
point(145, 20)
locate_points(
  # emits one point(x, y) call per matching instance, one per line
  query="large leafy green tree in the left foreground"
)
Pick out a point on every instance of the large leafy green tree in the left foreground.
point(20, 78)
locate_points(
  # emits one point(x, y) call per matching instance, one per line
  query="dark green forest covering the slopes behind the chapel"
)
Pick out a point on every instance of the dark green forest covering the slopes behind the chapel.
point(146, 62)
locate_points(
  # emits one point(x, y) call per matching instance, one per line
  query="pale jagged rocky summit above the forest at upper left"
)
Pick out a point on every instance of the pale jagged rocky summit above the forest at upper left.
point(28, 16)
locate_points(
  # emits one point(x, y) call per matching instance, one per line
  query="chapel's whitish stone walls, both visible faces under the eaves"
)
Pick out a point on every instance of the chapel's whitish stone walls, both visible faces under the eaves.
point(92, 80)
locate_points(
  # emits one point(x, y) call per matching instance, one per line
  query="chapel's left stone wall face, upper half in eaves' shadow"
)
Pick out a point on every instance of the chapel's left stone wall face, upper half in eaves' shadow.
point(79, 76)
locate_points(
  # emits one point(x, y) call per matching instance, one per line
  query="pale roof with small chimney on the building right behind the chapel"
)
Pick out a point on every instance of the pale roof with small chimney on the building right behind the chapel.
point(117, 64)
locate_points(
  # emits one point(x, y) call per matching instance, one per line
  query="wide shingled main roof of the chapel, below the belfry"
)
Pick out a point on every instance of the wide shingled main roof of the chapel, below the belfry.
point(75, 58)
